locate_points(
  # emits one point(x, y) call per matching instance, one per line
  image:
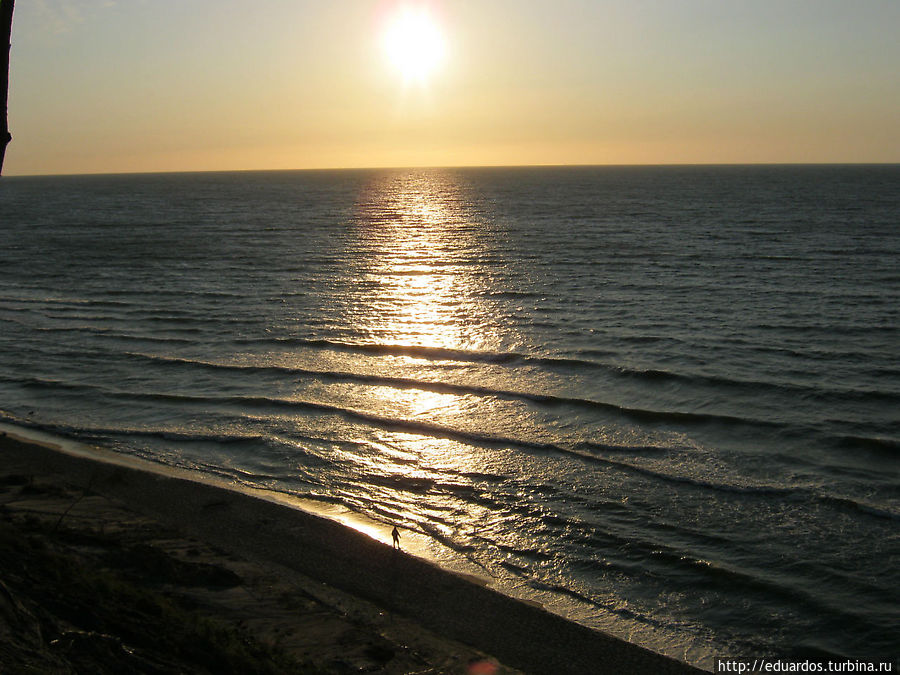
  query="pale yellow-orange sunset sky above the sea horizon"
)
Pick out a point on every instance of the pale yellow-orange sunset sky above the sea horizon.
point(104, 86)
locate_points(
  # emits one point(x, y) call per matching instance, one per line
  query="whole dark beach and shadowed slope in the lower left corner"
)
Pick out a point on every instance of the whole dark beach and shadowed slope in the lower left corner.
point(319, 596)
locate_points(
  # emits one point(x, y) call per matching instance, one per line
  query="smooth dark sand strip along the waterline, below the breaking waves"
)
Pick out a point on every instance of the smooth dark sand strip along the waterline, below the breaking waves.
point(436, 620)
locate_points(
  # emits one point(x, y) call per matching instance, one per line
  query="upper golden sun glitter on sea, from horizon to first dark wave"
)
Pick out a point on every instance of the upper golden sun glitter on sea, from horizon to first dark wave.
point(421, 260)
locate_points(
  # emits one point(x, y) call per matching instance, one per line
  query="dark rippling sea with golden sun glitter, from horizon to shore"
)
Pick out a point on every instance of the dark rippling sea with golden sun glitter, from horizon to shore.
point(663, 402)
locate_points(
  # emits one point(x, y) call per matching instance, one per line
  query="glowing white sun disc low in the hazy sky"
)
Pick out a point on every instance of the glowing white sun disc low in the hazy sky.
point(413, 42)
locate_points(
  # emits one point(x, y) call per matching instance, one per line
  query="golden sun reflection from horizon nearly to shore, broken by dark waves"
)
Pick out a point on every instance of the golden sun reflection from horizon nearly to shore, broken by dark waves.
point(422, 262)
